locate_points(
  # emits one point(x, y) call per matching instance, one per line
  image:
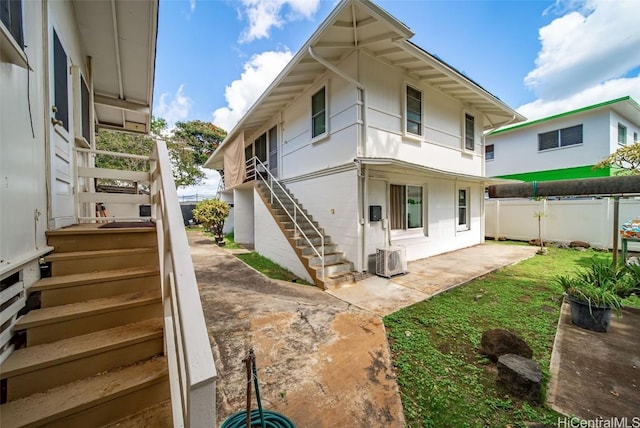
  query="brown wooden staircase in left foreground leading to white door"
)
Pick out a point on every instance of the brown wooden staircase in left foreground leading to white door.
point(94, 353)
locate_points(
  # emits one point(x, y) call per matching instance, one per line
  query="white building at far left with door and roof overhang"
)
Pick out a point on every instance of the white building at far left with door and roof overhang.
point(65, 68)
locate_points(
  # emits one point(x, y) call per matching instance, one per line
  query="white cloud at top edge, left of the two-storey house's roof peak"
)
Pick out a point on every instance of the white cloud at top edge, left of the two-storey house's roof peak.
point(263, 15)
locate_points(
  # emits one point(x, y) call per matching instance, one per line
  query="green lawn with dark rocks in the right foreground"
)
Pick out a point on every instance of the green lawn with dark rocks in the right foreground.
point(444, 381)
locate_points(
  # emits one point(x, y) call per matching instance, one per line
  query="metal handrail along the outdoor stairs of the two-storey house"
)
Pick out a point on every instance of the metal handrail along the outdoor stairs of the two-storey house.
point(256, 170)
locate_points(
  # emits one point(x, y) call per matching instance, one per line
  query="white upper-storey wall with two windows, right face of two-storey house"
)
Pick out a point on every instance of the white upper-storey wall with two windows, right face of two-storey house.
point(441, 143)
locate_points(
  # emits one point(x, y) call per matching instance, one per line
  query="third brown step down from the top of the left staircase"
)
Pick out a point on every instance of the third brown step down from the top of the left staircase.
point(65, 289)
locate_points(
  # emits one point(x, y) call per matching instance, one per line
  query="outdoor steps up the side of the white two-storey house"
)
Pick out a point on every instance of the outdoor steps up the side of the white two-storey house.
point(338, 271)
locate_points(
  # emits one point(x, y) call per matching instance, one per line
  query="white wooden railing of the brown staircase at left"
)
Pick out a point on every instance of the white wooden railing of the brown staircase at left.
point(192, 372)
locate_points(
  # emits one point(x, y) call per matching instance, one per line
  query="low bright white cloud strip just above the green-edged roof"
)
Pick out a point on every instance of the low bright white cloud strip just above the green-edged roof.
point(609, 90)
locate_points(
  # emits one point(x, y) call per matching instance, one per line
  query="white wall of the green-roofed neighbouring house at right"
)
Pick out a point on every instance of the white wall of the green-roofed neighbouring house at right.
point(517, 151)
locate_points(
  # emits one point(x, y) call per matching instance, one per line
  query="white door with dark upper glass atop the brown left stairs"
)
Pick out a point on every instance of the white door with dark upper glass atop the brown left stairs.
point(60, 150)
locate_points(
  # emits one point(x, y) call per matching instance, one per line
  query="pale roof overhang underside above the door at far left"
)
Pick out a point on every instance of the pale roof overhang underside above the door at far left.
point(119, 37)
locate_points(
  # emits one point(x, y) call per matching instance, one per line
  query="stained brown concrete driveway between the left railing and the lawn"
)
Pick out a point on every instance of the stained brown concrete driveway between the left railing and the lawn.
point(321, 362)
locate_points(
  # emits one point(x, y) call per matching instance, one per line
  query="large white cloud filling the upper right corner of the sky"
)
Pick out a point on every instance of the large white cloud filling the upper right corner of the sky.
point(585, 57)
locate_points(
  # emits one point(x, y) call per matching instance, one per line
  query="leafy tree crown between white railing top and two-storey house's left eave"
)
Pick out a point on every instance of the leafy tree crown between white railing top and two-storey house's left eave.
point(202, 137)
